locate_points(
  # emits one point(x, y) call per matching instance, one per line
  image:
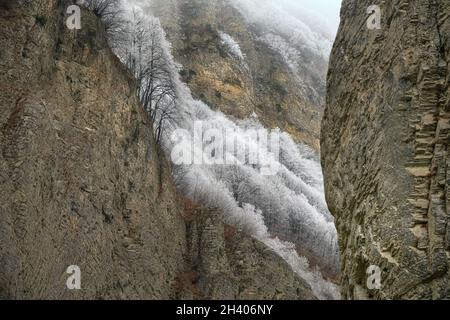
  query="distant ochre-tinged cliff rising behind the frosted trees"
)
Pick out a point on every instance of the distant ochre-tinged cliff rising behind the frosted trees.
point(260, 81)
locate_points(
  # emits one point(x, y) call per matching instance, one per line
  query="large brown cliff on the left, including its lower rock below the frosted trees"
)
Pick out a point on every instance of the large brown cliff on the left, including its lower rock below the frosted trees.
point(83, 182)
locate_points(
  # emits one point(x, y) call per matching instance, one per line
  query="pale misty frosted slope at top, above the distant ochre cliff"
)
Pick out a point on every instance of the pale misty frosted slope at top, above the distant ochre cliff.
point(300, 35)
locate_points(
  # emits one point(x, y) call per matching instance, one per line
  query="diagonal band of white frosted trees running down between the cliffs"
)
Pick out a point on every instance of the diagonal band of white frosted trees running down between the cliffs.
point(284, 208)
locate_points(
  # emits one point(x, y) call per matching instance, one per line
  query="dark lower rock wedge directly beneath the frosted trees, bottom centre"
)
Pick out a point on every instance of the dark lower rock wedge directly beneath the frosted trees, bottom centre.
point(223, 263)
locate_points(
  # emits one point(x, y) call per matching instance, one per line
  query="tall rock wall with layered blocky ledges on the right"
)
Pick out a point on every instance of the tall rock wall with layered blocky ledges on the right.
point(385, 138)
